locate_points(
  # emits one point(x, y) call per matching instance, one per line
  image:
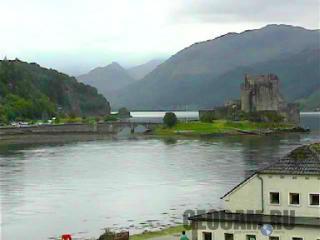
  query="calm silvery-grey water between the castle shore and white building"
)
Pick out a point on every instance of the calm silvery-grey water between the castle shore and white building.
point(82, 187)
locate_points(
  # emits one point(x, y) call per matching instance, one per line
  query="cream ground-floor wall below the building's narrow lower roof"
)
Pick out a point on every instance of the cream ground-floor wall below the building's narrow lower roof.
point(307, 233)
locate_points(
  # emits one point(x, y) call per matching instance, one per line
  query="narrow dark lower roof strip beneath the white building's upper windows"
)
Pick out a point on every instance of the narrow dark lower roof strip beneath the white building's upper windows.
point(223, 216)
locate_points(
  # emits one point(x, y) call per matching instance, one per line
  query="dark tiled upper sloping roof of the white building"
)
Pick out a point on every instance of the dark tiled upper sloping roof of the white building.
point(304, 160)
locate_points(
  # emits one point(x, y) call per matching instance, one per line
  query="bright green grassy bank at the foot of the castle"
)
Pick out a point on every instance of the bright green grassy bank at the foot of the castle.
point(197, 128)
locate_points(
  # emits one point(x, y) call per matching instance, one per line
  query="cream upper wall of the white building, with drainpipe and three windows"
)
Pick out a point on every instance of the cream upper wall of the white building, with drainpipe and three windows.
point(248, 195)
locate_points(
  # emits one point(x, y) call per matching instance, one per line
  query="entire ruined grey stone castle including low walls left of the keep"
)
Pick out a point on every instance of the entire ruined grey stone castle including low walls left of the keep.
point(260, 101)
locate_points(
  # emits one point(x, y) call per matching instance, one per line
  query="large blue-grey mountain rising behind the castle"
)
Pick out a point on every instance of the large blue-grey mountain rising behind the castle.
point(207, 73)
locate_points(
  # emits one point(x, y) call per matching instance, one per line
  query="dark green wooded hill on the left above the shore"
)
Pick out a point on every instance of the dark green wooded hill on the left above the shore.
point(30, 91)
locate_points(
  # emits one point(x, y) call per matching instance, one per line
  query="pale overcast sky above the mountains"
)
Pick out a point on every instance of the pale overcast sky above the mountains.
point(77, 35)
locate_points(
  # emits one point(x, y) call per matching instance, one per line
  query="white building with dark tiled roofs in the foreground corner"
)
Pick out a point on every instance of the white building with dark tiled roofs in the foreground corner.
point(280, 202)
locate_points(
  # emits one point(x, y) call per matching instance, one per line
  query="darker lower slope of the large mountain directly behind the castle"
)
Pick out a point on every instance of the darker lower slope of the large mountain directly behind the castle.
point(299, 77)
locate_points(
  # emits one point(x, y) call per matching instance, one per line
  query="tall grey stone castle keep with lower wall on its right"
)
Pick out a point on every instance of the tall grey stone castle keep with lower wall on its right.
point(261, 93)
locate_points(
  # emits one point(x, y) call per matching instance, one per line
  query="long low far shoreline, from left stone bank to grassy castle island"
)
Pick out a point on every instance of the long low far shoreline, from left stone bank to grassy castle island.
point(185, 130)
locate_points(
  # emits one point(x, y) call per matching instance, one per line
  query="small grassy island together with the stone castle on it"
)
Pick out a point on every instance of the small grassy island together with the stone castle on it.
point(260, 111)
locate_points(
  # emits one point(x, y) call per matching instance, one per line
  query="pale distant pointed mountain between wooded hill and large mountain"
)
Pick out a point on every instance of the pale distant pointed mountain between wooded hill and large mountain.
point(107, 79)
